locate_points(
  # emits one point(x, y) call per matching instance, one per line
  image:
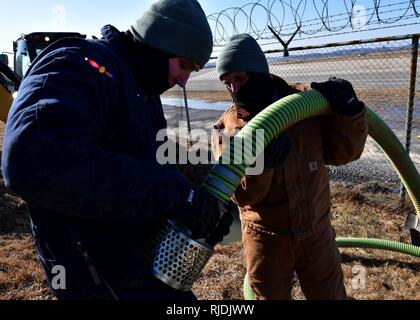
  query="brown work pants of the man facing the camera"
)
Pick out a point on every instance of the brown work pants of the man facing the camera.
point(272, 260)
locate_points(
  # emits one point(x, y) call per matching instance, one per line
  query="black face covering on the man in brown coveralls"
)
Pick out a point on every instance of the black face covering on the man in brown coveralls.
point(256, 94)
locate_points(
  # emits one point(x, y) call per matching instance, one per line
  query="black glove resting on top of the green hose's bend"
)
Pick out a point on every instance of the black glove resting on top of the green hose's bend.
point(341, 96)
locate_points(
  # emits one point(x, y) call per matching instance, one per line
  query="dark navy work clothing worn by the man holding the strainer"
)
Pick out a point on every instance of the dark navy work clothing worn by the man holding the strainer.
point(80, 149)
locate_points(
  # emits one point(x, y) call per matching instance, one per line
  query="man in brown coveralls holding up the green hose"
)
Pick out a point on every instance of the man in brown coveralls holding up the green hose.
point(286, 211)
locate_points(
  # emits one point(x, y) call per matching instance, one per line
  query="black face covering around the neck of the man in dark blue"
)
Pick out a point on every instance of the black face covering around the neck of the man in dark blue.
point(150, 66)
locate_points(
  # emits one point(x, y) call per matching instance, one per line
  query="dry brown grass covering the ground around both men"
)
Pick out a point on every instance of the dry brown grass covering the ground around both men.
point(357, 211)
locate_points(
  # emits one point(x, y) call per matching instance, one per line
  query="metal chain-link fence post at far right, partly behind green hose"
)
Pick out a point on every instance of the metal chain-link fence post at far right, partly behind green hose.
point(410, 105)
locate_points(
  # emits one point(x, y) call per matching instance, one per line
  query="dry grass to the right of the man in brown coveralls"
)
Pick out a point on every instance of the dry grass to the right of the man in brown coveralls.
point(360, 212)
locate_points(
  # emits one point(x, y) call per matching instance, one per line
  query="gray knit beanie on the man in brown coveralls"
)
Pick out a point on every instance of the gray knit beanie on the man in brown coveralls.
point(242, 53)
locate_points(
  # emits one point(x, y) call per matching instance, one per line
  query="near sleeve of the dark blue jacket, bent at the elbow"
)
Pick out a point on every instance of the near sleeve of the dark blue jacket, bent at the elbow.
point(51, 154)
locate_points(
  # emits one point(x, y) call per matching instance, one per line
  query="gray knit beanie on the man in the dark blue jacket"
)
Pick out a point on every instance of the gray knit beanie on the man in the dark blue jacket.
point(178, 27)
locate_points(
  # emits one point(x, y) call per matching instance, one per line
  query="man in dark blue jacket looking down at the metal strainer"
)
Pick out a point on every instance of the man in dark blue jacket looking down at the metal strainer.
point(80, 149)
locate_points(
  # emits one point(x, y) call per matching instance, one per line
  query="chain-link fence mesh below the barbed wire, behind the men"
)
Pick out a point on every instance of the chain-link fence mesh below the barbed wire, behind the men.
point(380, 71)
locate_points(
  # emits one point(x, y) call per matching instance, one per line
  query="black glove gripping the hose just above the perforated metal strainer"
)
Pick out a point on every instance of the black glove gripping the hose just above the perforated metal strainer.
point(201, 213)
